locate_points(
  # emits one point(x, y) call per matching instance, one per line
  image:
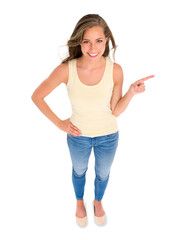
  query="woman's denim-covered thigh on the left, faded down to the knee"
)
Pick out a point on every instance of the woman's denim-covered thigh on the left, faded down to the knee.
point(80, 149)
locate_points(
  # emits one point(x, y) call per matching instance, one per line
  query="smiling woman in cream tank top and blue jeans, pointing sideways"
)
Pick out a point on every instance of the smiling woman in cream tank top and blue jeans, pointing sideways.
point(94, 85)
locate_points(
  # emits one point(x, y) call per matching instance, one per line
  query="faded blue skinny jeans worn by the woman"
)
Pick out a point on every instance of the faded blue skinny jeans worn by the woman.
point(80, 148)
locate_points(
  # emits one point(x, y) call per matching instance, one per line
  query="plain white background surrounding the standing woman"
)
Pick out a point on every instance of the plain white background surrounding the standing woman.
point(145, 198)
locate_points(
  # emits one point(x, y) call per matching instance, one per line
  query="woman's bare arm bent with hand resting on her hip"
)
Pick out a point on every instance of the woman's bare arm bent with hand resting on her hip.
point(59, 75)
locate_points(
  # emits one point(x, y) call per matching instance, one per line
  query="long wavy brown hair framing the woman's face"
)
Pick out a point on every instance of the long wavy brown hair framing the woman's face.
point(88, 21)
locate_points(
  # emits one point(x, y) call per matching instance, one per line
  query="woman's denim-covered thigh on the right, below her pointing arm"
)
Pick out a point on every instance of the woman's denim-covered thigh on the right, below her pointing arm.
point(104, 152)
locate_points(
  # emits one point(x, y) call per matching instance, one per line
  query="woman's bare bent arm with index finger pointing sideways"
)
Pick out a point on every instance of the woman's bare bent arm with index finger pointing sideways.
point(119, 103)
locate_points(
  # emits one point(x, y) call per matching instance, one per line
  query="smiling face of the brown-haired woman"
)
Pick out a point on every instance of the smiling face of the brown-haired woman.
point(93, 43)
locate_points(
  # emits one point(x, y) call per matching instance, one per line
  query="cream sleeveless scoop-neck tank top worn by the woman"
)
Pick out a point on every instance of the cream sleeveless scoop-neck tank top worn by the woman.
point(91, 111)
